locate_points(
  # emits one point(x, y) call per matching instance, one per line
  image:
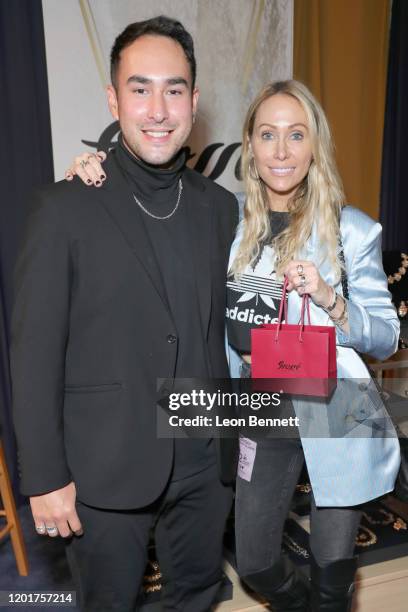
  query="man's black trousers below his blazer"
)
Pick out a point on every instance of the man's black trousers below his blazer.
point(109, 560)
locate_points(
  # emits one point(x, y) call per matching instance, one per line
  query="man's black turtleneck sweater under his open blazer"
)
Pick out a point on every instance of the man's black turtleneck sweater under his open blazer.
point(157, 190)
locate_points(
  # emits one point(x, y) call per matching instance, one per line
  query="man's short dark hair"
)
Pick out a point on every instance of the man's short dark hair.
point(157, 26)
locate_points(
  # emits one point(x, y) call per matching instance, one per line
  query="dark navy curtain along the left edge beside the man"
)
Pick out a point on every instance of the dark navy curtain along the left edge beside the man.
point(25, 161)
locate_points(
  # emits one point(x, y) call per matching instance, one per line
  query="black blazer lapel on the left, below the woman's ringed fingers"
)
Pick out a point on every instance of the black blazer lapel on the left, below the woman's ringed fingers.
point(117, 199)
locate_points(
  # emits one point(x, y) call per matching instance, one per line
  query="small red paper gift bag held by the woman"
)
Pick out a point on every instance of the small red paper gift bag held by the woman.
point(297, 359)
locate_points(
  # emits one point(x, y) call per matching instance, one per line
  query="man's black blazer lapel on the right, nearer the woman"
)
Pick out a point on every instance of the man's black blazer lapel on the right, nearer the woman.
point(200, 217)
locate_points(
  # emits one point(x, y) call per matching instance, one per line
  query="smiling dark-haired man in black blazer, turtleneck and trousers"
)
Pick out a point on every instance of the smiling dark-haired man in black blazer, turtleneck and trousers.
point(115, 288)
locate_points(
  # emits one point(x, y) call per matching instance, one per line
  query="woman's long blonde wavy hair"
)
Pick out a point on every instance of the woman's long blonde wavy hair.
point(318, 199)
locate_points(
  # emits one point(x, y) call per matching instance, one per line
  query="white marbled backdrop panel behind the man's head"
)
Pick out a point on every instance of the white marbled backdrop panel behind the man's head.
point(240, 45)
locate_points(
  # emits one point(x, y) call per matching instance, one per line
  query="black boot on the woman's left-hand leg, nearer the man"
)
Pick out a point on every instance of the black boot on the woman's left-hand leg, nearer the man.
point(281, 586)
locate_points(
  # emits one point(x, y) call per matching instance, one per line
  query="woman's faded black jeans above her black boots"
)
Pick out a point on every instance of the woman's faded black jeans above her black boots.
point(262, 506)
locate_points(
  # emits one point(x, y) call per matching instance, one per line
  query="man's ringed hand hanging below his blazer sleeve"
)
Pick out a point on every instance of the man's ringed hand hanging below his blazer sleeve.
point(54, 513)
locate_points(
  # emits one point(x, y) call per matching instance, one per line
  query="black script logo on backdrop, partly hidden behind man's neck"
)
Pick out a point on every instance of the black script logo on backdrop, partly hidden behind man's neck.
point(106, 141)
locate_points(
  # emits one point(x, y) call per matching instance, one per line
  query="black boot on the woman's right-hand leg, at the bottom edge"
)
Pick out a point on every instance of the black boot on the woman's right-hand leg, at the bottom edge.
point(333, 585)
